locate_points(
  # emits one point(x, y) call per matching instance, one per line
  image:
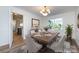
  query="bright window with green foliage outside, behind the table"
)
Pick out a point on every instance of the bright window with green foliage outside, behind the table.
point(56, 23)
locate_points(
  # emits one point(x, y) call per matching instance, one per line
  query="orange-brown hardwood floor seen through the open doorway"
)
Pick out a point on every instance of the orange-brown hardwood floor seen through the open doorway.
point(17, 39)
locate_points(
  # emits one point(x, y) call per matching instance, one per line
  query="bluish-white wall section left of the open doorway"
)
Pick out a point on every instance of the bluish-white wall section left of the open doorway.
point(4, 26)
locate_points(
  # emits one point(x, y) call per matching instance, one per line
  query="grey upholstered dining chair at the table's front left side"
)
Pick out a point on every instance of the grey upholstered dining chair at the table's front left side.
point(32, 46)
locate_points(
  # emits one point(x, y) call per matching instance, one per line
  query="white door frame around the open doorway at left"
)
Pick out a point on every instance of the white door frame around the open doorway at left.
point(11, 27)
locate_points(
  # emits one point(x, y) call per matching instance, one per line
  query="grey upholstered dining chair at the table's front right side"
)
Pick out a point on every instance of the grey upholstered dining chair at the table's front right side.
point(58, 46)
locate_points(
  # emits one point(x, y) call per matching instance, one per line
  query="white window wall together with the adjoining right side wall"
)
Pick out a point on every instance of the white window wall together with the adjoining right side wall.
point(69, 18)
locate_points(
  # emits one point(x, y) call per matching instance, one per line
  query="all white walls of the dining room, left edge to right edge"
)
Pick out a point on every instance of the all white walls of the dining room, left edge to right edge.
point(6, 20)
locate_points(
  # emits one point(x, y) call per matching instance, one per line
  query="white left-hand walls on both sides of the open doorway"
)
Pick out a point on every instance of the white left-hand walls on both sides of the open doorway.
point(6, 28)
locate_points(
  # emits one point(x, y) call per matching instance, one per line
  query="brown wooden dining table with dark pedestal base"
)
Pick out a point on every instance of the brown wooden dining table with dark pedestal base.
point(45, 38)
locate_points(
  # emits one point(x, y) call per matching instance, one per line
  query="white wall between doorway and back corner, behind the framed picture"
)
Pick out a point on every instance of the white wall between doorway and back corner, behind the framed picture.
point(27, 17)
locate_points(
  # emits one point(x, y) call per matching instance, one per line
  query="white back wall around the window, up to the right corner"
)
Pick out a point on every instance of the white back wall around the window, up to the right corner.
point(68, 18)
